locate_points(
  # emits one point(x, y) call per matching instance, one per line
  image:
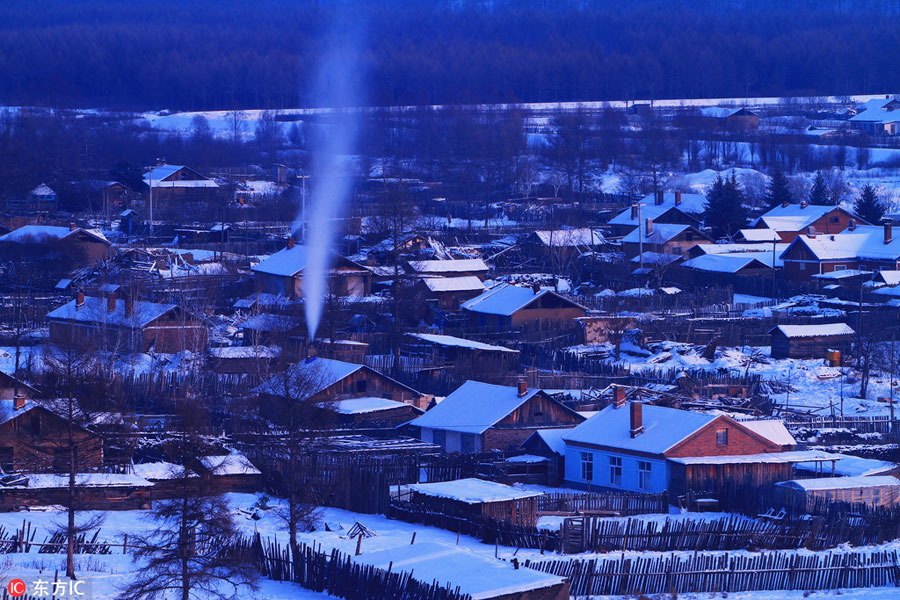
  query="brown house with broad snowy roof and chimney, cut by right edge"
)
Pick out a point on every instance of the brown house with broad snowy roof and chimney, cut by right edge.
point(859, 248)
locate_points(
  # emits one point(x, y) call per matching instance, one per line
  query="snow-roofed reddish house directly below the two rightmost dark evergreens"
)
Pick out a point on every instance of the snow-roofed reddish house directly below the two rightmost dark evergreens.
point(790, 220)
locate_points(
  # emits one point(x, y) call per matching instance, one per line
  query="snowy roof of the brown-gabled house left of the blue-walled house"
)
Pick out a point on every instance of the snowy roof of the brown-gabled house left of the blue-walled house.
point(473, 407)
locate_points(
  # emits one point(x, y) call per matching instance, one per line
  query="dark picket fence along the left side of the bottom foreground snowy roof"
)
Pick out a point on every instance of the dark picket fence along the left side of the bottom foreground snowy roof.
point(336, 574)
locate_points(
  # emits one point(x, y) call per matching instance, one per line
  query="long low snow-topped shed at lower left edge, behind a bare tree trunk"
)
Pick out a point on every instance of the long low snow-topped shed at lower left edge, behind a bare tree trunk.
point(96, 491)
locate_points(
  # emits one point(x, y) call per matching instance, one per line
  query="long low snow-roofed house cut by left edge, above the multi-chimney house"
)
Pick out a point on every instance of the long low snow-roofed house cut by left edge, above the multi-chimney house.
point(74, 245)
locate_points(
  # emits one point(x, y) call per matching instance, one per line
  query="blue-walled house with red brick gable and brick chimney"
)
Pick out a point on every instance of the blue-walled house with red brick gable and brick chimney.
point(645, 448)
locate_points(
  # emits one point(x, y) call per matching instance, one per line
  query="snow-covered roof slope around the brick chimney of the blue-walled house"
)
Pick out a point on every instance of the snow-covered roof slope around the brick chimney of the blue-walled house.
point(663, 428)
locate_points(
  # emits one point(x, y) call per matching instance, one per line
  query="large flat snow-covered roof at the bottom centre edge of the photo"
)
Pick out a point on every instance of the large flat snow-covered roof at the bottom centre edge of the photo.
point(477, 576)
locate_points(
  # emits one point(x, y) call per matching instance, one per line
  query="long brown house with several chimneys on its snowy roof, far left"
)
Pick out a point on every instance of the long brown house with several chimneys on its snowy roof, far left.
point(133, 324)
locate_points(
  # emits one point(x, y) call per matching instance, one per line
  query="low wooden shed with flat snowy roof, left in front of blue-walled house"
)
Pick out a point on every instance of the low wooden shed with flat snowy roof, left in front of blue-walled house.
point(478, 498)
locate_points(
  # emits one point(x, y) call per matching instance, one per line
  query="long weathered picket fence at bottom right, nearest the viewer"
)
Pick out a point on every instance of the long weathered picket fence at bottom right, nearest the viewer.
point(720, 573)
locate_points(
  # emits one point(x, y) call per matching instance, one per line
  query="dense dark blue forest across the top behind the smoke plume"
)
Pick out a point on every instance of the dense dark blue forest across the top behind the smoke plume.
point(225, 54)
